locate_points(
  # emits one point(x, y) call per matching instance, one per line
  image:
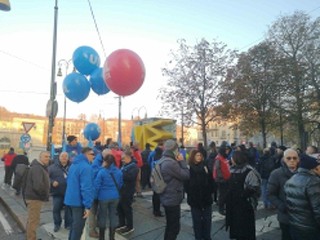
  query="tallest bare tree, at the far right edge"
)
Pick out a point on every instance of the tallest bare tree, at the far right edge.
point(293, 36)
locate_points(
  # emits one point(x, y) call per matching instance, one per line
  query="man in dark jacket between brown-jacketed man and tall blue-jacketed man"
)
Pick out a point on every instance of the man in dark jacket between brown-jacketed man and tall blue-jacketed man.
point(58, 174)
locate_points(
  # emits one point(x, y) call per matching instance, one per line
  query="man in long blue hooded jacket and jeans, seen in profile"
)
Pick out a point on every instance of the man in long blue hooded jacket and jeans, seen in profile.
point(80, 193)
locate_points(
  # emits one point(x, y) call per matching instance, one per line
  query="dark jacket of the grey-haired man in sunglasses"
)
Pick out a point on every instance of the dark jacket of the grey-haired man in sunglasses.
point(275, 189)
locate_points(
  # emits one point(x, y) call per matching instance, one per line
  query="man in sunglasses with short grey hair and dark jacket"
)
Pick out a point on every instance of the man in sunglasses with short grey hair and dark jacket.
point(275, 189)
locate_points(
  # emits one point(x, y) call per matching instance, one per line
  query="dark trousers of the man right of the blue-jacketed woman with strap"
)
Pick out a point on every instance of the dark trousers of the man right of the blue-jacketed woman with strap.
point(125, 211)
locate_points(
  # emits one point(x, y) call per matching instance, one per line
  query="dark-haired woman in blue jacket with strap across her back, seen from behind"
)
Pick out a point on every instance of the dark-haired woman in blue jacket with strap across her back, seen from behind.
point(107, 185)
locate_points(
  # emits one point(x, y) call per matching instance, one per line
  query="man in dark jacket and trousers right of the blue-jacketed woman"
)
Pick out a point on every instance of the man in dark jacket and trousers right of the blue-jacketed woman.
point(129, 173)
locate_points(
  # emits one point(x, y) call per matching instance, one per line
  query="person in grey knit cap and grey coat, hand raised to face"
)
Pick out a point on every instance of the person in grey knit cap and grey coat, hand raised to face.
point(175, 171)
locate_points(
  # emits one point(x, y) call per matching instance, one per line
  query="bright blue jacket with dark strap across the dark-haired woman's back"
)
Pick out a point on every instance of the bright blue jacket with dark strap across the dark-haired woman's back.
point(104, 184)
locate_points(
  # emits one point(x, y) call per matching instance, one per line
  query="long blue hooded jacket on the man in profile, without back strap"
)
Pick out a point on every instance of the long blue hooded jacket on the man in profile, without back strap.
point(79, 191)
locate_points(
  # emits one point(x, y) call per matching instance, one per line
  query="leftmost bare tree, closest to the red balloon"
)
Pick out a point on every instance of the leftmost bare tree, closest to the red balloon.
point(194, 77)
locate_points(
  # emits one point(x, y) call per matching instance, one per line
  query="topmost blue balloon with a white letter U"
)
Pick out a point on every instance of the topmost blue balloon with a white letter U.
point(85, 59)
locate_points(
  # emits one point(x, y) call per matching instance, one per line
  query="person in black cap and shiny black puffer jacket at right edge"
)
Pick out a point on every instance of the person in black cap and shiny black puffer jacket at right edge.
point(303, 200)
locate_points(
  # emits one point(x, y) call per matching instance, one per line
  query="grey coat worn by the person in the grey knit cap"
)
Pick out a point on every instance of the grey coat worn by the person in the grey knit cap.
point(174, 174)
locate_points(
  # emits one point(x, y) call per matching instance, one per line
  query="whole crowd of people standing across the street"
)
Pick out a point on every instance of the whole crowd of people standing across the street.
point(100, 183)
